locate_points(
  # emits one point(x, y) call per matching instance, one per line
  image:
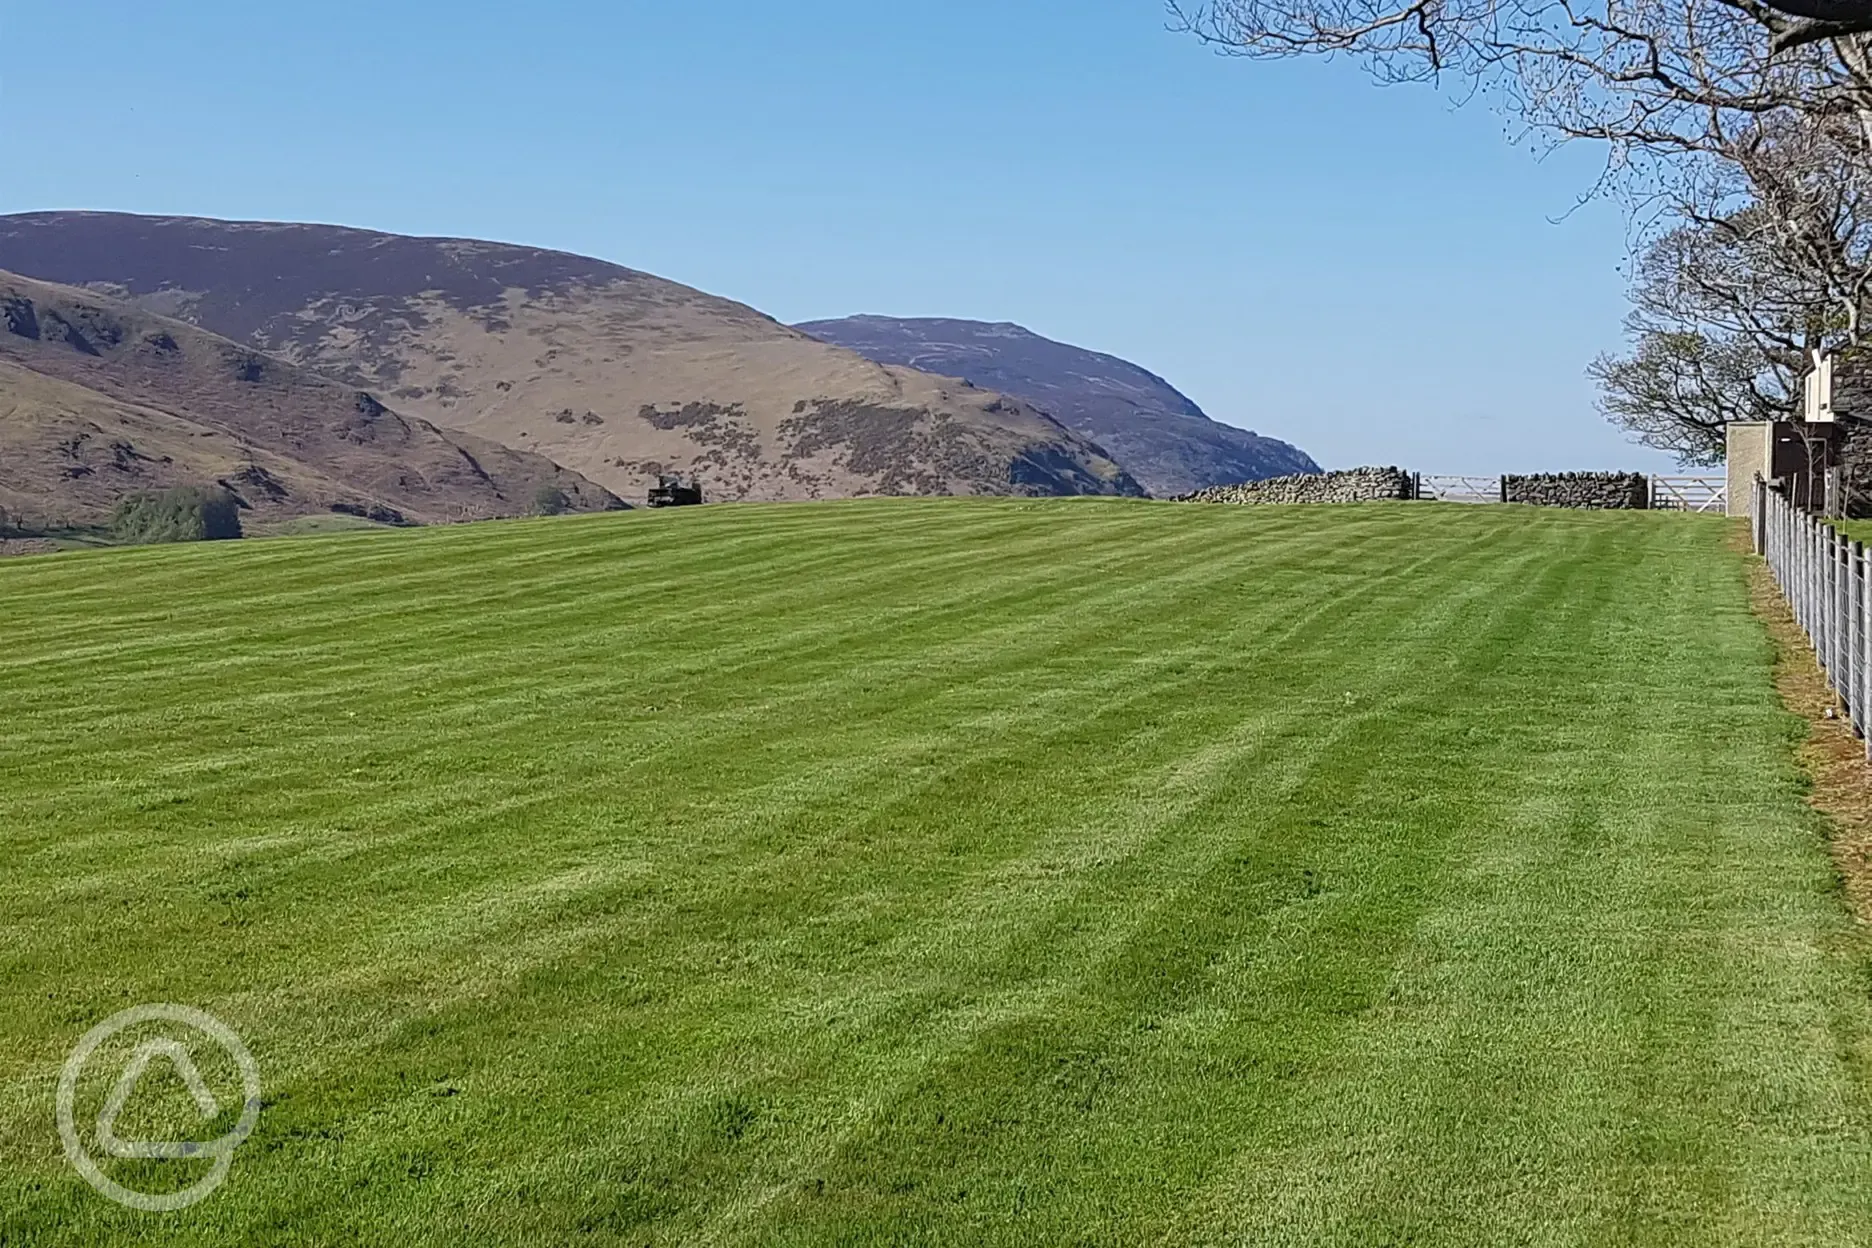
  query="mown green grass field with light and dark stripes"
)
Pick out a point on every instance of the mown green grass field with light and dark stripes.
point(939, 873)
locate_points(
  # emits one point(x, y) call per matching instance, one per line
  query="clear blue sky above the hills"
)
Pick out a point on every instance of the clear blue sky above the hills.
point(1367, 272)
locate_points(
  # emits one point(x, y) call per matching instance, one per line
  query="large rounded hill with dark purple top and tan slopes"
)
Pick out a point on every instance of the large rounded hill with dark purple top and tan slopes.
point(613, 373)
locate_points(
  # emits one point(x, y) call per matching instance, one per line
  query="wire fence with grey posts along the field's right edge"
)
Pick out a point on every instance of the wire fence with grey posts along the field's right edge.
point(1830, 588)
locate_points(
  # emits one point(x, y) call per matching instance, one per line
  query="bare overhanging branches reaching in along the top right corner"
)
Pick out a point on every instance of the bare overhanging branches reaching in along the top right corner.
point(1680, 93)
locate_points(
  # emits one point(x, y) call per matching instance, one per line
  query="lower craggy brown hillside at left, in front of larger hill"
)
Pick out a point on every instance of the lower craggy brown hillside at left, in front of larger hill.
point(100, 399)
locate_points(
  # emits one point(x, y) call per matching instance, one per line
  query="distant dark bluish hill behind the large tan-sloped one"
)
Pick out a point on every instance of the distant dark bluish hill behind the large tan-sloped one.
point(1158, 433)
